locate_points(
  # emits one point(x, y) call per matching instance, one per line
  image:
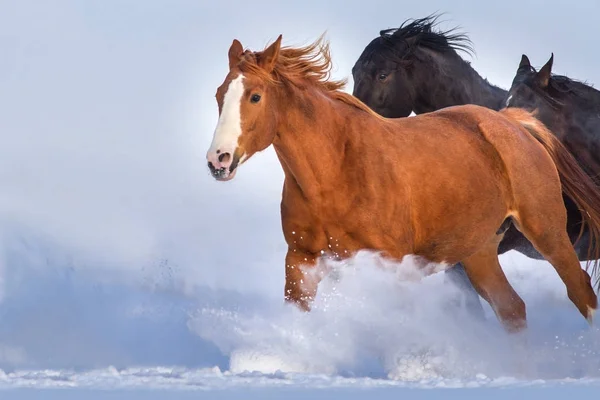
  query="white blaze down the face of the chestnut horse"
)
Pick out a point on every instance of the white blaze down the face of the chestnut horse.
point(229, 127)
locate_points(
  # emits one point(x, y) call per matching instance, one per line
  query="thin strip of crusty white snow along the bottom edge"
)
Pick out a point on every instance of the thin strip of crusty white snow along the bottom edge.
point(213, 379)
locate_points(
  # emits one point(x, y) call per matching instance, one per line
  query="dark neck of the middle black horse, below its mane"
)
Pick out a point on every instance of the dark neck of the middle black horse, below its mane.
point(445, 80)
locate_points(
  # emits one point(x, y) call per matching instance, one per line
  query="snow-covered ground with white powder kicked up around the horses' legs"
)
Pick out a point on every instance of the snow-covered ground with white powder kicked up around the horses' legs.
point(371, 329)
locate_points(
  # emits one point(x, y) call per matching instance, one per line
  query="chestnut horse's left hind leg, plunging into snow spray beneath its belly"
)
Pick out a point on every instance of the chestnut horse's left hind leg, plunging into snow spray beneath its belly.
point(485, 273)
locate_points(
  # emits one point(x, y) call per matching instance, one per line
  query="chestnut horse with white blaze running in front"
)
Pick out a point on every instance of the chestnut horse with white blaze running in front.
point(443, 186)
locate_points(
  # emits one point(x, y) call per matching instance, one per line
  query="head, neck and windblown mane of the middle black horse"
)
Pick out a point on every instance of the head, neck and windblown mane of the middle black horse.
point(415, 68)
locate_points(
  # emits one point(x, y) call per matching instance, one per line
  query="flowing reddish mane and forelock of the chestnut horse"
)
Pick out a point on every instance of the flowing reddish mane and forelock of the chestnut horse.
point(302, 66)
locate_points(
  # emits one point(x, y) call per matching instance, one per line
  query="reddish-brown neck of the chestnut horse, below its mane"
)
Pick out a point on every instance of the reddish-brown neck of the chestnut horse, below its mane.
point(311, 140)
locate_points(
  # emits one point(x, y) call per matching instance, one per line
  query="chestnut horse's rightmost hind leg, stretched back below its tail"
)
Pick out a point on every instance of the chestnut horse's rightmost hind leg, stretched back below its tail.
point(544, 227)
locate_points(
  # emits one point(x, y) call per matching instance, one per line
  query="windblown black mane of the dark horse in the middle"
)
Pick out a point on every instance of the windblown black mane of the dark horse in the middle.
point(422, 32)
